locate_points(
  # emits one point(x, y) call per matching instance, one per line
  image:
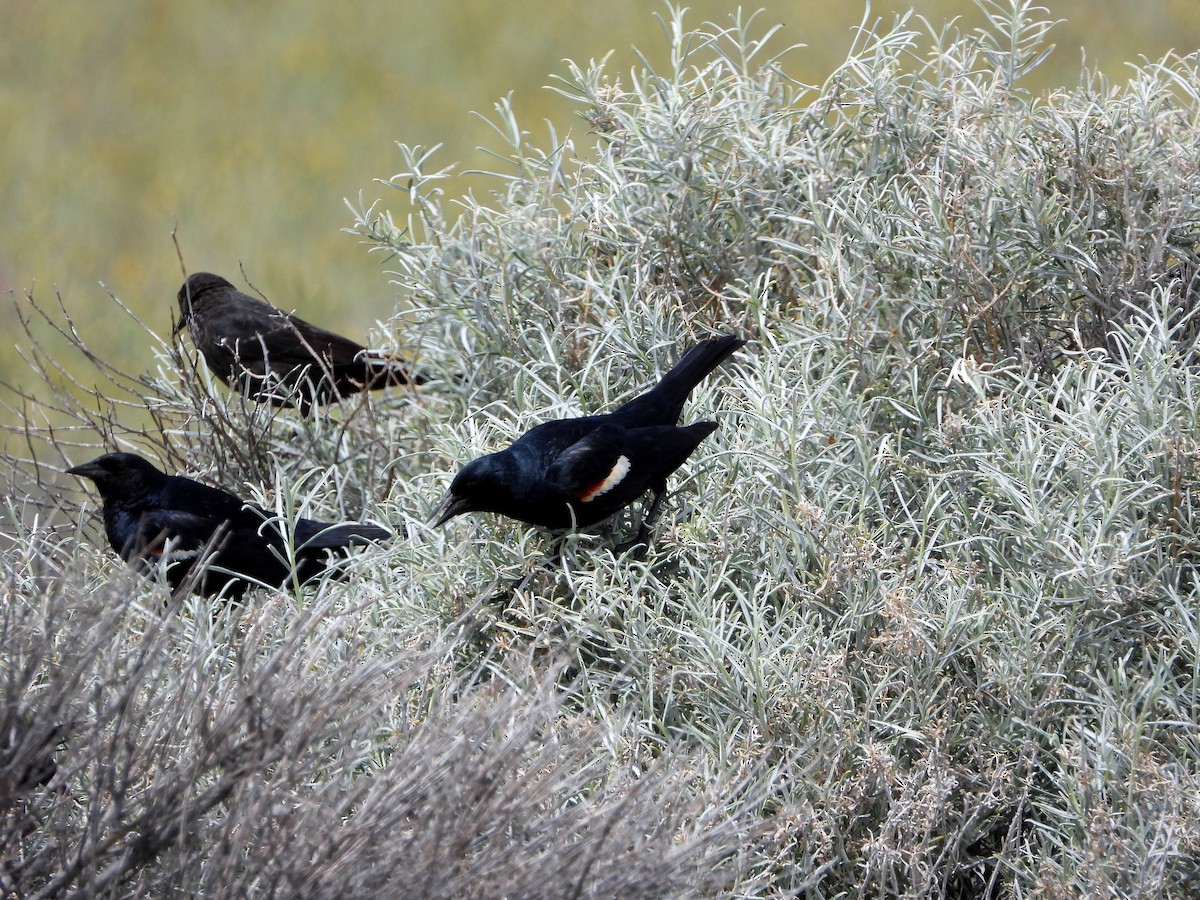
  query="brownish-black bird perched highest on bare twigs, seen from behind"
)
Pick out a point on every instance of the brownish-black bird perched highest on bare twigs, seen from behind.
point(275, 357)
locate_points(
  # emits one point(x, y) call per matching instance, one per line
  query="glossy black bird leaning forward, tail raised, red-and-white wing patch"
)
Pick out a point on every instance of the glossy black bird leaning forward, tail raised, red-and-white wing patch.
point(578, 472)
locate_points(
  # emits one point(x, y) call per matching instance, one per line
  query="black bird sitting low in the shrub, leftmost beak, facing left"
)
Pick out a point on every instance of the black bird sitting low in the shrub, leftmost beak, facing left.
point(152, 519)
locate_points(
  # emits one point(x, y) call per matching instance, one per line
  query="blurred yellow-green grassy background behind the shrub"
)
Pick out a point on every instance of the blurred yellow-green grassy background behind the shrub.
point(244, 128)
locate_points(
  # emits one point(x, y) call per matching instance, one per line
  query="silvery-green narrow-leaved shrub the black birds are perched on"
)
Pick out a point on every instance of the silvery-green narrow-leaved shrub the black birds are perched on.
point(932, 584)
